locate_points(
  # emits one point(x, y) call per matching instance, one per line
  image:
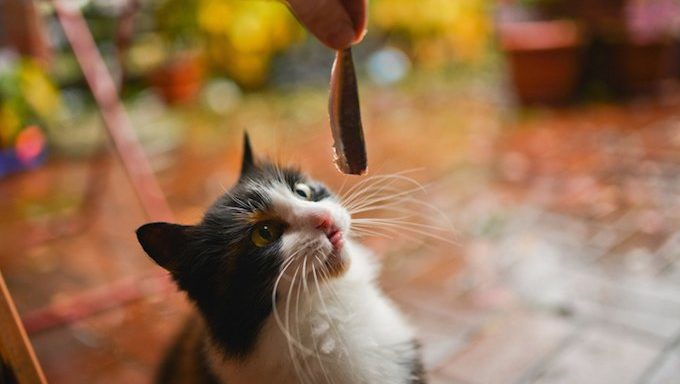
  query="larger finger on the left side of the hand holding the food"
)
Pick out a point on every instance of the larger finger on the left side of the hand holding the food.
point(327, 20)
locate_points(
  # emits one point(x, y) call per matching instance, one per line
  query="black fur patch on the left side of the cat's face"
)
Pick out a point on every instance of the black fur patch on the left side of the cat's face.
point(229, 278)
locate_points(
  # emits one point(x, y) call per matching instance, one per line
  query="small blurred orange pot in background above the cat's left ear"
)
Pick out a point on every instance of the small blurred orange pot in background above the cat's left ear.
point(179, 80)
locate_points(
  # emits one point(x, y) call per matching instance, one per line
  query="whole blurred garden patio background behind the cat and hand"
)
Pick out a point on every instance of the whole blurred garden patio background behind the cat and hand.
point(546, 132)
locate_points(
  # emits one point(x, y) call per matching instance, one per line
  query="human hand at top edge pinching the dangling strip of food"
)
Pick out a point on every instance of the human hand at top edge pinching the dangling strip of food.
point(336, 23)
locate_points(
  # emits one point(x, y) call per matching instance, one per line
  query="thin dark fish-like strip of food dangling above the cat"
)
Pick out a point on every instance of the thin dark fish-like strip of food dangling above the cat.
point(345, 116)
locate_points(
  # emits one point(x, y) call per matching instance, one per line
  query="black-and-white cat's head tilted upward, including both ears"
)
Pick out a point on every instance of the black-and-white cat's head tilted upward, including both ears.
point(273, 224)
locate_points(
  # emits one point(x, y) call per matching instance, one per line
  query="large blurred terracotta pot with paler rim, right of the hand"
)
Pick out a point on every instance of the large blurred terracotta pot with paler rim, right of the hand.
point(543, 59)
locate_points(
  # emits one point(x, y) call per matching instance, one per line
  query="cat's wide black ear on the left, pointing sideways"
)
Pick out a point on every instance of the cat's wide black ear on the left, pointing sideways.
point(165, 243)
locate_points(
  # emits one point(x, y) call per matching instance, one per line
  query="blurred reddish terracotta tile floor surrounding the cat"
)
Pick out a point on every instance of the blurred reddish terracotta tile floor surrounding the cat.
point(567, 227)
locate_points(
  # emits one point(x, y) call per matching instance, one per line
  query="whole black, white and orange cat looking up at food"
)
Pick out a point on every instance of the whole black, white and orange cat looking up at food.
point(283, 292)
